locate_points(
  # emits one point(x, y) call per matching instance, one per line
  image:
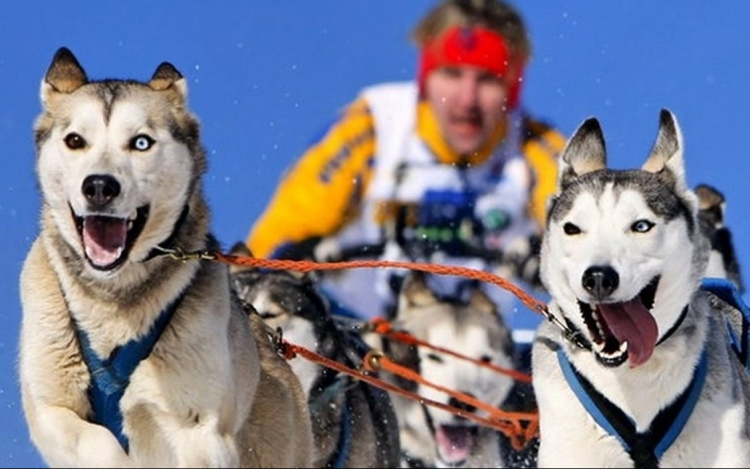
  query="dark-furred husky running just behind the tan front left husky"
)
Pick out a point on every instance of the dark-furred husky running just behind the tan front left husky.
point(354, 422)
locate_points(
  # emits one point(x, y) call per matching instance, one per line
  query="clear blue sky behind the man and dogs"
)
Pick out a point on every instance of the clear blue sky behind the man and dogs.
point(264, 76)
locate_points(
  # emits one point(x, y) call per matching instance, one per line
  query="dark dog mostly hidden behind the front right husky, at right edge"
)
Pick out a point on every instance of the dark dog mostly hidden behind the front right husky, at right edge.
point(722, 262)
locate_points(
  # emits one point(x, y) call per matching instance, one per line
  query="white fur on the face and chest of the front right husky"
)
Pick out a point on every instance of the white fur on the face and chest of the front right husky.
point(716, 434)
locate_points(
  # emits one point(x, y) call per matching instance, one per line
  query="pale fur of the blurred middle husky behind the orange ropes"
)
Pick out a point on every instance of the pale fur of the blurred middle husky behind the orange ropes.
point(473, 332)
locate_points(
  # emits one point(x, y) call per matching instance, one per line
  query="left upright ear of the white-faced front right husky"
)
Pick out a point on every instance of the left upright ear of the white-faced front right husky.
point(585, 152)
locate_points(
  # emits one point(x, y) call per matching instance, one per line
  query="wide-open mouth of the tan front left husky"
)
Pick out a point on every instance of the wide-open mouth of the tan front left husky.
point(108, 240)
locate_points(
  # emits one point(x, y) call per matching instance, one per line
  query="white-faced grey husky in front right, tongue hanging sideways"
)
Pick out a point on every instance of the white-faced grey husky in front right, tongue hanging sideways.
point(635, 367)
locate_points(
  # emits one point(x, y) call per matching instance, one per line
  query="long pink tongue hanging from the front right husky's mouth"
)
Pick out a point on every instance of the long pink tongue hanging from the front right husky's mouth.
point(631, 322)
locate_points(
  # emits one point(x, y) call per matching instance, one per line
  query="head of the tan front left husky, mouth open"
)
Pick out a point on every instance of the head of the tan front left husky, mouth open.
point(119, 165)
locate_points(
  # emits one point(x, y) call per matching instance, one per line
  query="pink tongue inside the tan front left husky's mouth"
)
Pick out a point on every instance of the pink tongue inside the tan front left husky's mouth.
point(104, 239)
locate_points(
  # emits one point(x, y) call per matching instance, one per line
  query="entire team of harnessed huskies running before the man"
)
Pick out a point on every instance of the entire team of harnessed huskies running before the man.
point(130, 358)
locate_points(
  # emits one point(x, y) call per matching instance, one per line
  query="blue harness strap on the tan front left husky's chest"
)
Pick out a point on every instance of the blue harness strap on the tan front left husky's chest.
point(110, 376)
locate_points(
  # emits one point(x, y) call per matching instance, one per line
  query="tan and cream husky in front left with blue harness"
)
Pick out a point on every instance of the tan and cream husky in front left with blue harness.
point(129, 358)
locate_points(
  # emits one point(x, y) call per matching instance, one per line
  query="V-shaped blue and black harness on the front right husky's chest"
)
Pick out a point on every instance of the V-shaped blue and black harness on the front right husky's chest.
point(646, 448)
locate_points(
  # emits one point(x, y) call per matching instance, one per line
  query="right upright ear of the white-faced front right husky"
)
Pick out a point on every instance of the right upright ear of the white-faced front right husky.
point(666, 155)
